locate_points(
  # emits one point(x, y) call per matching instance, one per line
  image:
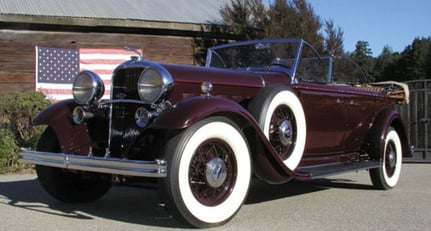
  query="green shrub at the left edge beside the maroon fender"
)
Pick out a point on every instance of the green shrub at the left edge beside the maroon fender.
point(17, 112)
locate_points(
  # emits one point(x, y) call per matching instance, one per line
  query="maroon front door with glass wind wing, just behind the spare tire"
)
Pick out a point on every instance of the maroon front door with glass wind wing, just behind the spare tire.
point(324, 106)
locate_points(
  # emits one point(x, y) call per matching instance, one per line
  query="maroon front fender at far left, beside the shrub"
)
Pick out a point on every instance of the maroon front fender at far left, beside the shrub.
point(71, 137)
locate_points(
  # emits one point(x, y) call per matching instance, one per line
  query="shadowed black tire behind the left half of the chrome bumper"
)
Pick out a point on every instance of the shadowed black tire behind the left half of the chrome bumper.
point(65, 185)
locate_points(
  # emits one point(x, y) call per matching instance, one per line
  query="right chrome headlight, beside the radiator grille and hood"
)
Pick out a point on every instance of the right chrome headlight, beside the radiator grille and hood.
point(154, 83)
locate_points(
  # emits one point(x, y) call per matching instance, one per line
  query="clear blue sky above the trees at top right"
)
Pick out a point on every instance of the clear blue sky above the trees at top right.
point(395, 23)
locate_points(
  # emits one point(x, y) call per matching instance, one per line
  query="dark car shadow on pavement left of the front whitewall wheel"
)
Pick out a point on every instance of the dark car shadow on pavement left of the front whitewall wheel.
point(125, 204)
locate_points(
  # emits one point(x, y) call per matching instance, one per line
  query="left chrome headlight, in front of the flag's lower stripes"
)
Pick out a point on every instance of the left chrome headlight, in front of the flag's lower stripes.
point(87, 87)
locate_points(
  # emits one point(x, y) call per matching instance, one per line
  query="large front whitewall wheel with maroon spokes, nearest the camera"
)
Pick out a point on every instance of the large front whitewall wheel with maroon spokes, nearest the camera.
point(208, 174)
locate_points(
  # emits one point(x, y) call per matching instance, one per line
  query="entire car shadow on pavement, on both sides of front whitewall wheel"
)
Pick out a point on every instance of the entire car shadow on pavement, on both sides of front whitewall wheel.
point(142, 205)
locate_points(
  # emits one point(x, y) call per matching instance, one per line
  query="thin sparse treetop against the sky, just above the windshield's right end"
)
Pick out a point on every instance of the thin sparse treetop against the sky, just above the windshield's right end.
point(333, 44)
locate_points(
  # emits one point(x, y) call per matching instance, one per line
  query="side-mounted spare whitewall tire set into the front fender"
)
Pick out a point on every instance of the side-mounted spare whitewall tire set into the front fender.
point(281, 117)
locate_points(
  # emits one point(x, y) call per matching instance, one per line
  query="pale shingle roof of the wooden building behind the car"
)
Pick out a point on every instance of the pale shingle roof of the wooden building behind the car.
point(183, 11)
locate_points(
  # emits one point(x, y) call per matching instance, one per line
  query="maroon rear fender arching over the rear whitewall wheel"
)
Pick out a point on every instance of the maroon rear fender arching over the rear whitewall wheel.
point(375, 141)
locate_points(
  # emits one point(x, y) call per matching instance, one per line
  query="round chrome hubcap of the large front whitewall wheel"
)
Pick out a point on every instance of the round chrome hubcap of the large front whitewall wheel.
point(216, 172)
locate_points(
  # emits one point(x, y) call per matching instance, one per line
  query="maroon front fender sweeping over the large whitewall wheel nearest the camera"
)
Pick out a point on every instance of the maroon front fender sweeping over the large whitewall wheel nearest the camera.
point(267, 164)
